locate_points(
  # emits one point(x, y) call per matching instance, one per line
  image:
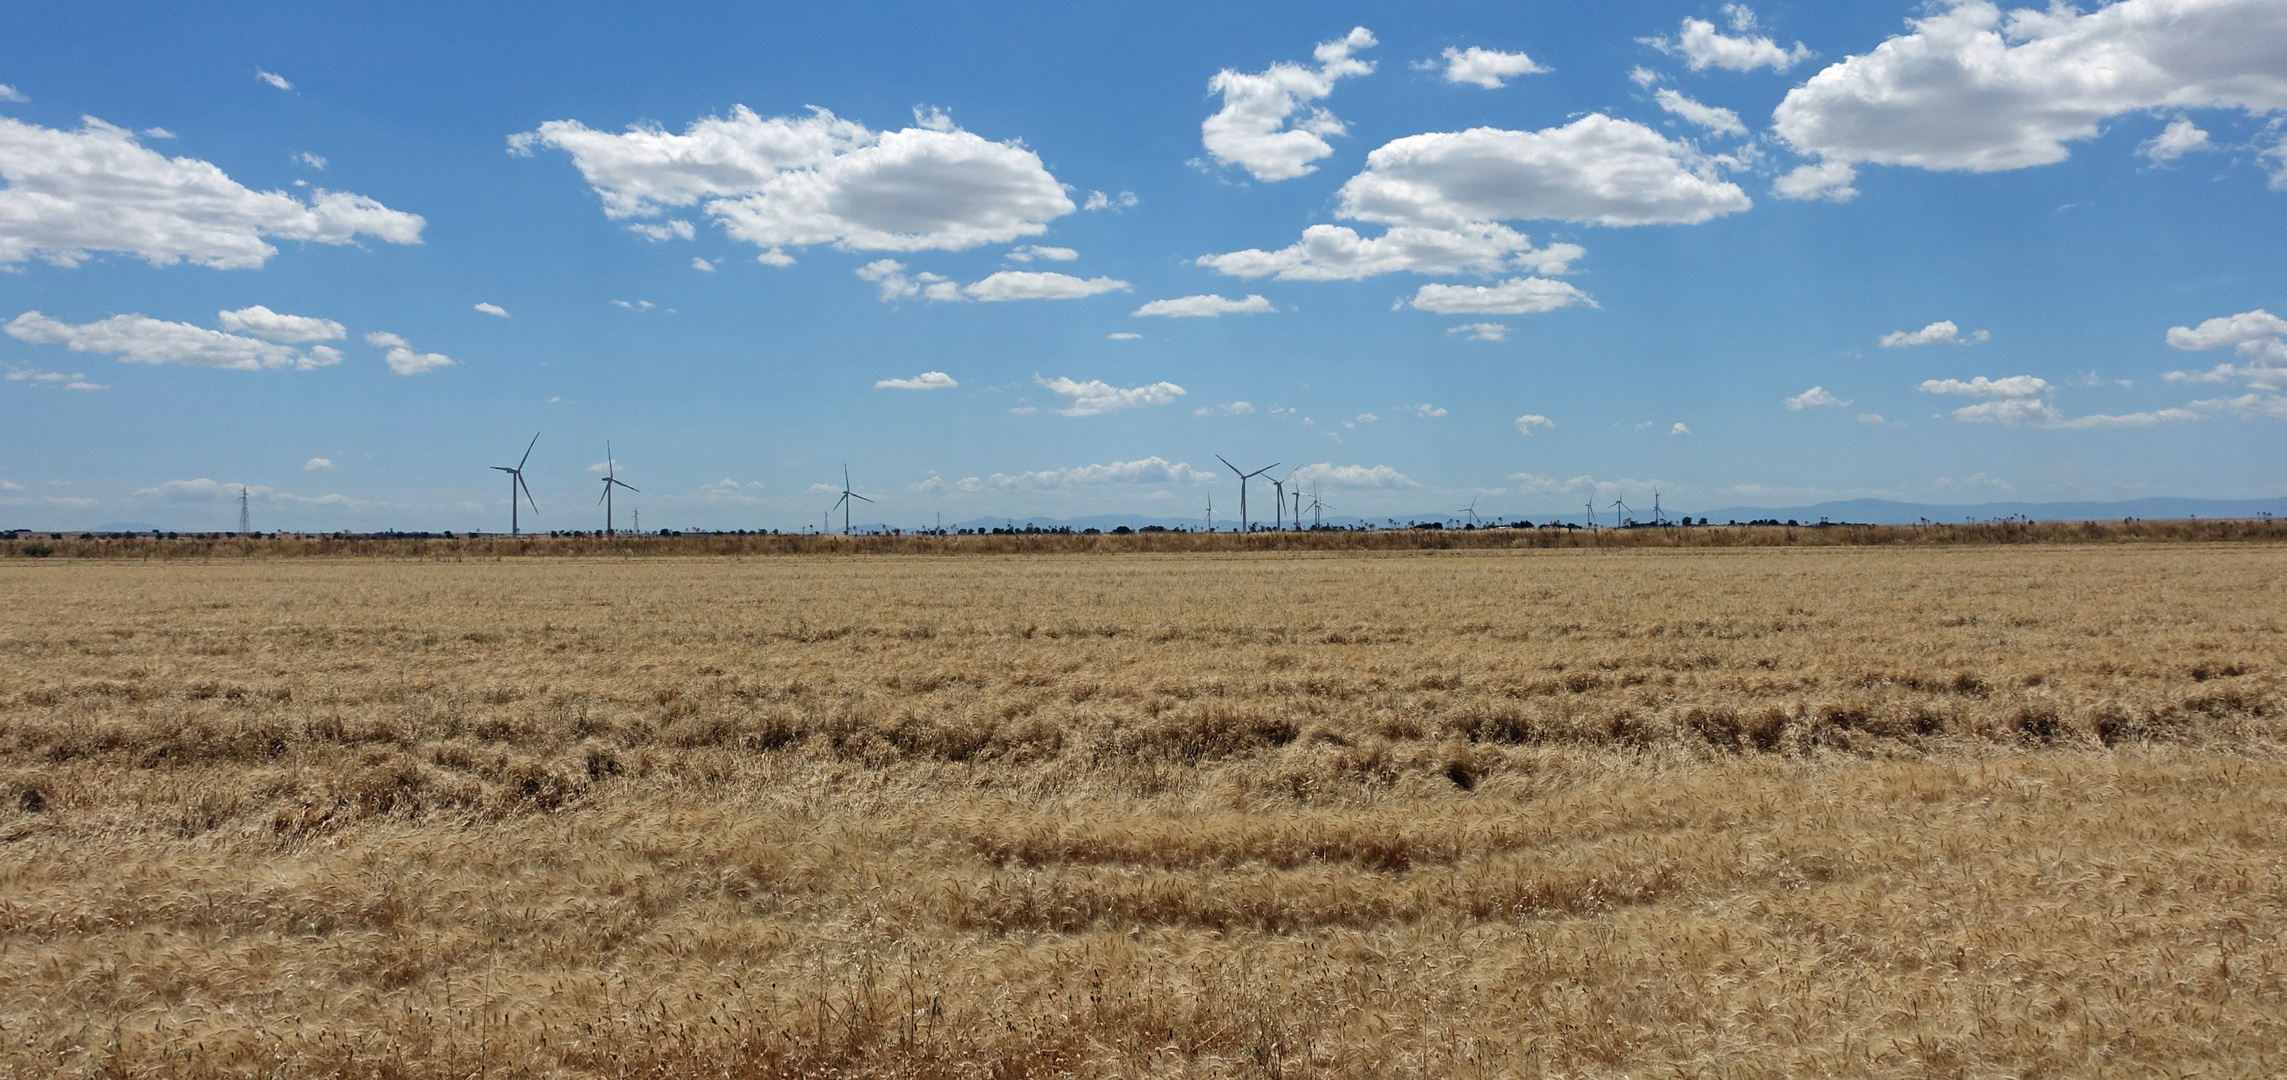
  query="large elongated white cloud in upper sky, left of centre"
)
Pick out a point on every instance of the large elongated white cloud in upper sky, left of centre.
point(820, 180)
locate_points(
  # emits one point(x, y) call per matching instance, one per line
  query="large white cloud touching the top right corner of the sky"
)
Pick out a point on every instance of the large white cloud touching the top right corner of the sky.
point(1979, 90)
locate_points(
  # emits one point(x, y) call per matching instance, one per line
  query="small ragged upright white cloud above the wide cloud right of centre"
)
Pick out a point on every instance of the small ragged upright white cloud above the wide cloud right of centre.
point(1257, 129)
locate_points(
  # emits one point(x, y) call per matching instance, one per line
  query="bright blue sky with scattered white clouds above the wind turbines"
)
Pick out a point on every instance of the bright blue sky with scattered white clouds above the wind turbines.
point(1055, 260)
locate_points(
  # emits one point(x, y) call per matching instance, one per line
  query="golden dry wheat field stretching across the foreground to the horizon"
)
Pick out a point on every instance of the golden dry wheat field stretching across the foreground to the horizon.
point(1703, 813)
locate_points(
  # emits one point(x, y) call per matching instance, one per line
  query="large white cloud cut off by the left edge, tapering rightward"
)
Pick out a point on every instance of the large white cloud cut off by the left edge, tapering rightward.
point(72, 193)
